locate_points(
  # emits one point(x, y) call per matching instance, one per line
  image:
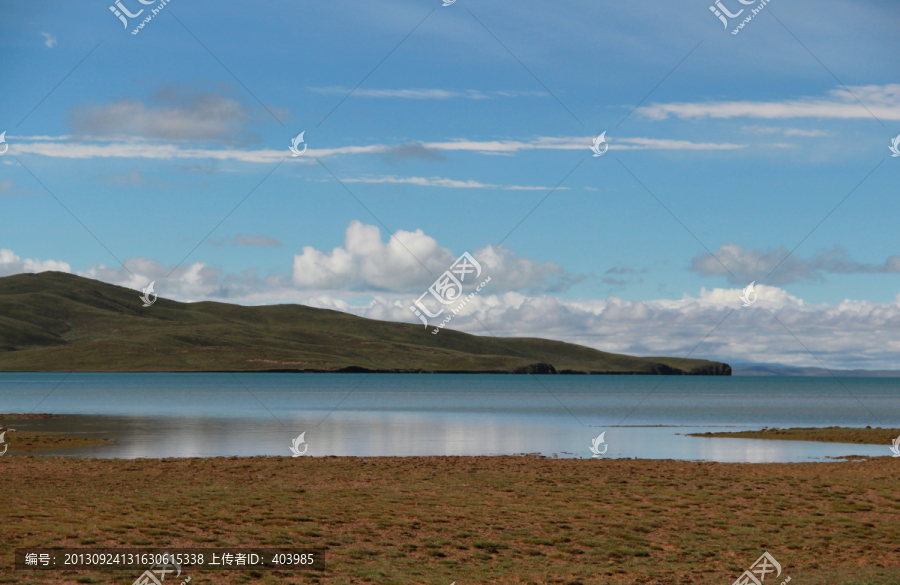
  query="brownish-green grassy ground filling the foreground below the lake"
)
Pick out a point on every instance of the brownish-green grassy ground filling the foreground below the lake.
point(467, 519)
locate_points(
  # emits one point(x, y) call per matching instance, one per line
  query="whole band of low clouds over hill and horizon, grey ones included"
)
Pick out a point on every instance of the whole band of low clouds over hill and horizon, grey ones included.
point(377, 279)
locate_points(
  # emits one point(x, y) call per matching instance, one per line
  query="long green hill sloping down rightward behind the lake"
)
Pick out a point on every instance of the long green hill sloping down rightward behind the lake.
point(54, 321)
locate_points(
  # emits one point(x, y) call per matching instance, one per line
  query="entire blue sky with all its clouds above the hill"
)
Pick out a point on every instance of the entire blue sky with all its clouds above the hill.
point(732, 156)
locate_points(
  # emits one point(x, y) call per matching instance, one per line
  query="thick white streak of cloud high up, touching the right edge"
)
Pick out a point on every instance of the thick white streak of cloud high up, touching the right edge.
point(883, 101)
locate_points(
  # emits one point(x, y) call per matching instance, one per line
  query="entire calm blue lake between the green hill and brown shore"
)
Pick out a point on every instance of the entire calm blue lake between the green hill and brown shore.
point(194, 415)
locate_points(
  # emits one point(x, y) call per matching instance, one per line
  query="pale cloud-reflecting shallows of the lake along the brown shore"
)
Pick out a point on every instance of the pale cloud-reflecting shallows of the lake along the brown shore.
point(382, 434)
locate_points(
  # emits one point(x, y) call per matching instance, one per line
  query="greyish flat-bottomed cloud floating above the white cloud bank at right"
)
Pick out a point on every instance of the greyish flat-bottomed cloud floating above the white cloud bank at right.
point(748, 264)
